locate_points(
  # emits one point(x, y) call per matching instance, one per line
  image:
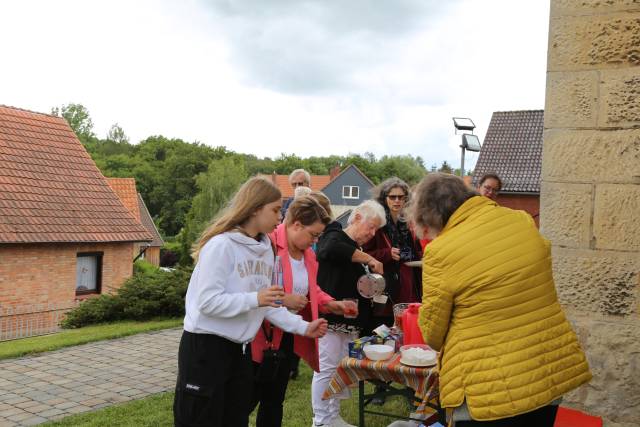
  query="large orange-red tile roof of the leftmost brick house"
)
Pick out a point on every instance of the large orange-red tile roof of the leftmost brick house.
point(50, 188)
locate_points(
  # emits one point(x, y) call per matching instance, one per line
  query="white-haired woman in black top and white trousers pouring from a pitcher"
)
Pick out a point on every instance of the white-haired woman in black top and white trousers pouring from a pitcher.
point(340, 263)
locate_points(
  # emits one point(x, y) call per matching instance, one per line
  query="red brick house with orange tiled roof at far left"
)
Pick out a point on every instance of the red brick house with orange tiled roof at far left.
point(64, 233)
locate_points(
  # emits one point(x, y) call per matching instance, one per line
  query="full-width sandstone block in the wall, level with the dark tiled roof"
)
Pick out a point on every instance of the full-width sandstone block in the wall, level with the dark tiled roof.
point(591, 155)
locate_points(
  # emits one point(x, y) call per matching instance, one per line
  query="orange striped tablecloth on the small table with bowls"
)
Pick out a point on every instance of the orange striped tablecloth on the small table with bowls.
point(423, 380)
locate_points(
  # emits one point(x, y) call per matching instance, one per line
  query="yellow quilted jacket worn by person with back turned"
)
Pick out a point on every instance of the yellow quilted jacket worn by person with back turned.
point(490, 307)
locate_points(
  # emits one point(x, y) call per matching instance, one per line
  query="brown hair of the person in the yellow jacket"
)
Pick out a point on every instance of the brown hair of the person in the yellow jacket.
point(436, 198)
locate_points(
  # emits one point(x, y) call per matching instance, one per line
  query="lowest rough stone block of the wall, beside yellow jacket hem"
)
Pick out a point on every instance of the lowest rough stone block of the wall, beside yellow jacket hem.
point(613, 352)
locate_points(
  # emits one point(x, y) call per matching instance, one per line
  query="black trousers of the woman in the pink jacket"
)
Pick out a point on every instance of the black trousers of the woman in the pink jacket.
point(270, 395)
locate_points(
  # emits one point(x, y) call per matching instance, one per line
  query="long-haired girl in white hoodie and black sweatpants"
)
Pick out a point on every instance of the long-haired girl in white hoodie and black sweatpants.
point(229, 295)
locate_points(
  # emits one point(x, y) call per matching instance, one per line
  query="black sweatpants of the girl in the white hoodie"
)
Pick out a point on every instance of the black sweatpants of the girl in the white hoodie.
point(215, 380)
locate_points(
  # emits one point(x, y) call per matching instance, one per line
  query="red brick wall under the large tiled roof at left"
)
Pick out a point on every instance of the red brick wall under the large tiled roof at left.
point(44, 275)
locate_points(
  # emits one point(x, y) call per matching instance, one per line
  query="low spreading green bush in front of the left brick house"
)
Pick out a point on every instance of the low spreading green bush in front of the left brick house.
point(145, 295)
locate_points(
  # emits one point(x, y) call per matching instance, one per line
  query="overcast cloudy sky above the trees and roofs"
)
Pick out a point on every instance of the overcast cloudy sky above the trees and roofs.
point(267, 77)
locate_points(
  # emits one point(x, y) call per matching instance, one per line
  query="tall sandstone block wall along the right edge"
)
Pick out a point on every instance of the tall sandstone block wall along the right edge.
point(590, 198)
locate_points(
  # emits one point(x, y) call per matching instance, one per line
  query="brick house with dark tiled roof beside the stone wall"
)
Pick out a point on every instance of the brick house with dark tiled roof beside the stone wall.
point(512, 149)
